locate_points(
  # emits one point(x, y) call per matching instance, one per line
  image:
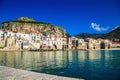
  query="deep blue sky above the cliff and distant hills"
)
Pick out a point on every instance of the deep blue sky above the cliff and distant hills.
point(76, 16)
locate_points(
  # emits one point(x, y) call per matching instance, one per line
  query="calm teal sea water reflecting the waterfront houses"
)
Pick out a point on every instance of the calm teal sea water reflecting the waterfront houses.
point(89, 65)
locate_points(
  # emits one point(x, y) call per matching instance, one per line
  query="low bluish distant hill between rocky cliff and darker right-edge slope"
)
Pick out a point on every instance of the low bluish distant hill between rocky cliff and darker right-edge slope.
point(87, 35)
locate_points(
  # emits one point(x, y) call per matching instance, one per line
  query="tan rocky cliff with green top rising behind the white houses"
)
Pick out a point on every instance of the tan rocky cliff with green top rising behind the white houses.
point(28, 25)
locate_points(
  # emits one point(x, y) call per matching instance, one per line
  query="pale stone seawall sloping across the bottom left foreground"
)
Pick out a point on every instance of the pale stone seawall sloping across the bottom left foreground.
point(7, 73)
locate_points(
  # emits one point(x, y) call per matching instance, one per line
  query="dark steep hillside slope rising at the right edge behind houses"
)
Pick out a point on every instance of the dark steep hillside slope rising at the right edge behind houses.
point(115, 34)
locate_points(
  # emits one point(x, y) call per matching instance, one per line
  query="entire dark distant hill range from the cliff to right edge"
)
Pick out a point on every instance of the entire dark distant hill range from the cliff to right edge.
point(115, 34)
